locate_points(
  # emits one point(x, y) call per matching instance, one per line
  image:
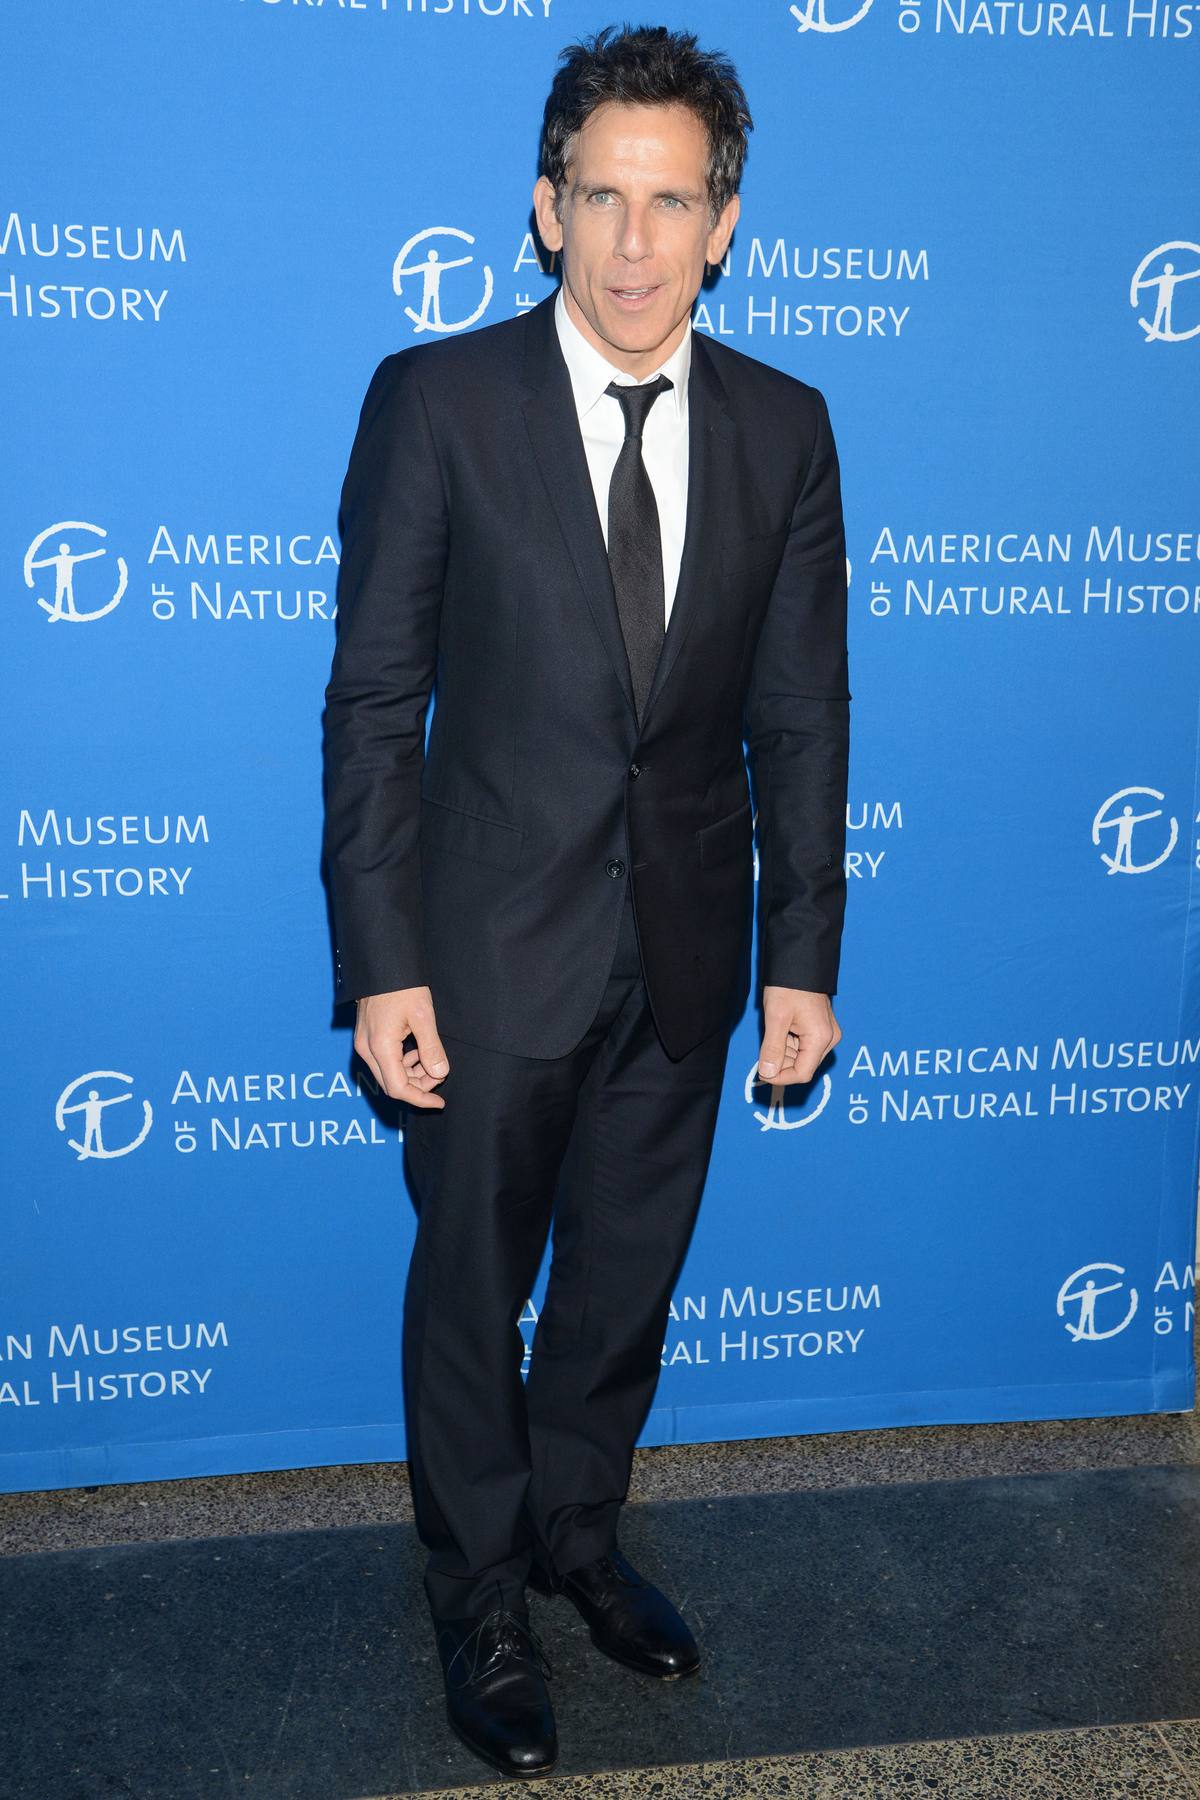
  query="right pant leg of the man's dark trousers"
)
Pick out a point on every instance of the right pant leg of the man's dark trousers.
point(625, 1209)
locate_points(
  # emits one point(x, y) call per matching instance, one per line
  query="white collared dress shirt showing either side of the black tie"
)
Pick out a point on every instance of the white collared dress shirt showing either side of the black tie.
point(665, 436)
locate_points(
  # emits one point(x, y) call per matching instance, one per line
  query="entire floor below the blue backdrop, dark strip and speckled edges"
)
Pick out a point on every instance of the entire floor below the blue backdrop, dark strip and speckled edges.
point(1007, 1610)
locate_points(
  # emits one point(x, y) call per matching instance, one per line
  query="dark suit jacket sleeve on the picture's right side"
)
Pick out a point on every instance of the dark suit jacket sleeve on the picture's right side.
point(798, 735)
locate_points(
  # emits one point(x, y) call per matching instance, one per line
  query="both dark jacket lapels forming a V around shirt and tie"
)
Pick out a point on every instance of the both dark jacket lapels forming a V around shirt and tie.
point(557, 442)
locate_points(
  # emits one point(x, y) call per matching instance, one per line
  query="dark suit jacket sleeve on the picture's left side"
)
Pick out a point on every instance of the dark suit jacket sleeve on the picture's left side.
point(395, 535)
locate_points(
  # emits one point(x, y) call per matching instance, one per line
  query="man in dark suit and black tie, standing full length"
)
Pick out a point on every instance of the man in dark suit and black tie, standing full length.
point(616, 548)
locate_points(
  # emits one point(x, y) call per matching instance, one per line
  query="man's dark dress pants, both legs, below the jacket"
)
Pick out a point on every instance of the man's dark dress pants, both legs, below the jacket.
point(611, 1146)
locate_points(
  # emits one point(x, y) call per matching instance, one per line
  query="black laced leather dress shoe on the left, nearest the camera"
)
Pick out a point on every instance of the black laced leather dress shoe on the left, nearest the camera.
point(497, 1700)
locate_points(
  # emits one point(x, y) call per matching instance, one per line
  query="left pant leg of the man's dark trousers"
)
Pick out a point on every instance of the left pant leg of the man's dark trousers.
point(483, 1174)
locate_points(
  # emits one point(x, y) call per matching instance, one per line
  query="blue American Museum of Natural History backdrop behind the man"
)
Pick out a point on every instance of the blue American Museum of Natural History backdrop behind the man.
point(972, 224)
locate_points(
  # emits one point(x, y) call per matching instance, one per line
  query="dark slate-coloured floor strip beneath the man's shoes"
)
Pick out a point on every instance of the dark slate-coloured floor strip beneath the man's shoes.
point(300, 1666)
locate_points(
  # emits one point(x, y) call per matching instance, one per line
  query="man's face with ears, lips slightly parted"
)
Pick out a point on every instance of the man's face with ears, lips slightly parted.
point(634, 231)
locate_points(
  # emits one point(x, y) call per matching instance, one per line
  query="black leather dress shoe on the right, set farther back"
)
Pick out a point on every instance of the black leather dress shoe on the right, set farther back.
point(629, 1619)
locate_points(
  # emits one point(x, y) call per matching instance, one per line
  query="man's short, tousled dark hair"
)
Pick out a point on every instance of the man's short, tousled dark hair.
point(649, 66)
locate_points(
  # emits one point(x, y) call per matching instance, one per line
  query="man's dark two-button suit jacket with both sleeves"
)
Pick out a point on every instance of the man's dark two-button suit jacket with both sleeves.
point(490, 868)
